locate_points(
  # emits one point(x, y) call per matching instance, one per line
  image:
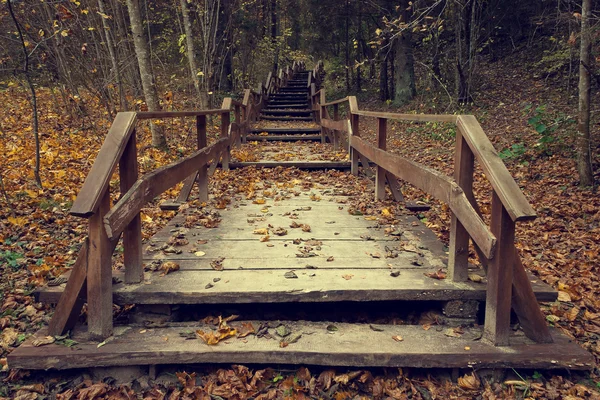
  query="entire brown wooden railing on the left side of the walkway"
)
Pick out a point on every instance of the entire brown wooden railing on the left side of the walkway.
point(91, 276)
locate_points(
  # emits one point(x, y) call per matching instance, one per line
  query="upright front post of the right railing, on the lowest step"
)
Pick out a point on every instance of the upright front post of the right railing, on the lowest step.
point(500, 276)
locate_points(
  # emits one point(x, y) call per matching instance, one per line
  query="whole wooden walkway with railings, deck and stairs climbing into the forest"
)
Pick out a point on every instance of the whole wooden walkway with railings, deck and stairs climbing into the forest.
point(314, 281)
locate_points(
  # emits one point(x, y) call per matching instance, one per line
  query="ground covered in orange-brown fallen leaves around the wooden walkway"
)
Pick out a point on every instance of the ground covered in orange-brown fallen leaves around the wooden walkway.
point(40, 239)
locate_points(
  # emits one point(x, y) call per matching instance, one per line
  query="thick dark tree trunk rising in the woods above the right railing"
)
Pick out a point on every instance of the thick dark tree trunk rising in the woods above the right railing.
point(404, 78)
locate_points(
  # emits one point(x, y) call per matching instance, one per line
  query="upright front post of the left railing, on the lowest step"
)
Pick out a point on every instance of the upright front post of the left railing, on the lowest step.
point(99, 274)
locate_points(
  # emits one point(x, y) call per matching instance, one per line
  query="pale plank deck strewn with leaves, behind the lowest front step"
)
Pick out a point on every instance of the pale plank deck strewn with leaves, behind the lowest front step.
point(343, 257)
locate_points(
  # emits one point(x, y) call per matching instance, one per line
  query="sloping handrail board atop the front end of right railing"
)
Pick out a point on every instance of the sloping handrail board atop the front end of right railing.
point(503, 183)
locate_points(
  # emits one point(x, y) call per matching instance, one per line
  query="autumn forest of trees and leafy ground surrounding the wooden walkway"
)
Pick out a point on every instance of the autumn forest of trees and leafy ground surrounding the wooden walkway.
point(526, 69)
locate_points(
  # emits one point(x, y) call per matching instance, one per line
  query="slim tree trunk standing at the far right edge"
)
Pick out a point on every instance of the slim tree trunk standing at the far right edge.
point(584, 154)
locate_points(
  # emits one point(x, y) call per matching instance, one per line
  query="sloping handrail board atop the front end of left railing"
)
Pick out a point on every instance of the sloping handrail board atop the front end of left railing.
point(98, 179)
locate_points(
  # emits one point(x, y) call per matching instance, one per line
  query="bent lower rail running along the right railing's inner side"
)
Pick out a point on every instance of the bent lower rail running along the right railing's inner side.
point(437, 185)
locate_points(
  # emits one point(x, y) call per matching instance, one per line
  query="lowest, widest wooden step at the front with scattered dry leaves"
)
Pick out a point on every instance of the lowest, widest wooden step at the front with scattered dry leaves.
point(323, 343)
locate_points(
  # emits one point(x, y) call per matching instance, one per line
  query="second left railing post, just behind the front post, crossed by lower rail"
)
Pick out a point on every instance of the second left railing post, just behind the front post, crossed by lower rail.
point(132, 235)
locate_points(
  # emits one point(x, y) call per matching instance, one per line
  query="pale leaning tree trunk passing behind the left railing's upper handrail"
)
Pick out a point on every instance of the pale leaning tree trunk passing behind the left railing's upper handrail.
point(143, 57)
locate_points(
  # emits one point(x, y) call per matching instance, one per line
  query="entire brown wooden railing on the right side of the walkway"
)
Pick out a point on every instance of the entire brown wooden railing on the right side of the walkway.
point(508, 284)
